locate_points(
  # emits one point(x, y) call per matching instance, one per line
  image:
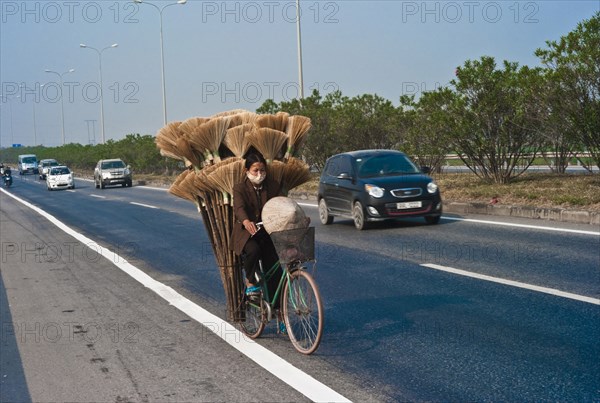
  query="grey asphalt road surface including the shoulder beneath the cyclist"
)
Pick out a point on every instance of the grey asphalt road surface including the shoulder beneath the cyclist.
point(397, 327)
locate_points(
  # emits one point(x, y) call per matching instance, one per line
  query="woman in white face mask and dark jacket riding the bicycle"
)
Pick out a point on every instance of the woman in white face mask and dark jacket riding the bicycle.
point(249, 197)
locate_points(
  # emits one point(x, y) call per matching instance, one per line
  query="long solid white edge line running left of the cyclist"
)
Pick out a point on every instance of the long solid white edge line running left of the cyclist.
point(294, 377)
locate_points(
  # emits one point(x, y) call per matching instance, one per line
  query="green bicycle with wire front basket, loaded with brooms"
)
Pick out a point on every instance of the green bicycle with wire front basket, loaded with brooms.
point(300, 302)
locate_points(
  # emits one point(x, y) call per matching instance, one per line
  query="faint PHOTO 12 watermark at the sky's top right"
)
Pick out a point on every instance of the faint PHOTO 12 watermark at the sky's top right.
point(454, 12)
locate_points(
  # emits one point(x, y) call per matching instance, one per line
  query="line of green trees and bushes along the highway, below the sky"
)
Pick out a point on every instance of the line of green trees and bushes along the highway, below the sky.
point(496, 117)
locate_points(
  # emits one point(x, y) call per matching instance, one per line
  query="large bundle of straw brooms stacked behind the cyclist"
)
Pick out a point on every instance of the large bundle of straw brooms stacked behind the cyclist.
point(213, 150)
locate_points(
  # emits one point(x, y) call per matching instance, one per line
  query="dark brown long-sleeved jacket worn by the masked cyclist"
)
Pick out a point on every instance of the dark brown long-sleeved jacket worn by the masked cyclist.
point(245, 206)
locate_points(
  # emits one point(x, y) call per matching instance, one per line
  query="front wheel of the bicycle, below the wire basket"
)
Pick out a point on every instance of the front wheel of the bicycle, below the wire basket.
point(303, 312)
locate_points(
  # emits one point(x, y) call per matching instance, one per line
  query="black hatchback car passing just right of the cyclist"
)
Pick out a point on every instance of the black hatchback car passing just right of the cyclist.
point(374, 185)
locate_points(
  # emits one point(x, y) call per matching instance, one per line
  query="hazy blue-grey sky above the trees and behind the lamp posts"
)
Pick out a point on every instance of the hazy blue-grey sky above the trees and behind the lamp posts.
point(222, 55)
